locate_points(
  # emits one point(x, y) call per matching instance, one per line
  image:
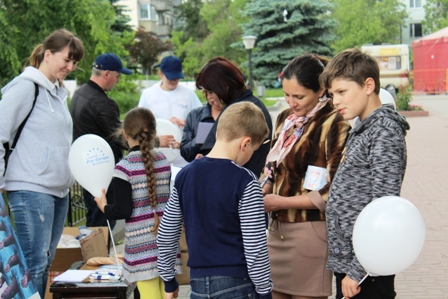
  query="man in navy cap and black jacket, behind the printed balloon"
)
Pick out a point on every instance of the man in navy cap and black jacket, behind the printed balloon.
point(93, 112)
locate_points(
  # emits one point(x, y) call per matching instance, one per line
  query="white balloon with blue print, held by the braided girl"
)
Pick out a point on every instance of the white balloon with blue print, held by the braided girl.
point(92, 163)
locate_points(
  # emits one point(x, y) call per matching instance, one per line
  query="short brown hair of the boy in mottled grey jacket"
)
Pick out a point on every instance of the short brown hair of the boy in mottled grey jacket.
point(353, 65)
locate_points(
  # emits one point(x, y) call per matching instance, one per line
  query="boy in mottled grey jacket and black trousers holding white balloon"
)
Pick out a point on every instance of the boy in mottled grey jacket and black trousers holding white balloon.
point(372, 166)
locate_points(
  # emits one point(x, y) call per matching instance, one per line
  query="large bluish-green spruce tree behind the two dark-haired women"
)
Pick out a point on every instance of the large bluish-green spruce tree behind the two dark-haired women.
point(286, 29)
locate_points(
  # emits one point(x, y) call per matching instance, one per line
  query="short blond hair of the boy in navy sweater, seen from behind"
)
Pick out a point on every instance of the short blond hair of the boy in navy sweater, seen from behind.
point(242, 119)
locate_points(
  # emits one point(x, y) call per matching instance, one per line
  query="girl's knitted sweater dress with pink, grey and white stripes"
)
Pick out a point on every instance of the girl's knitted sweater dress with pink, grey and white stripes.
point(140, 252)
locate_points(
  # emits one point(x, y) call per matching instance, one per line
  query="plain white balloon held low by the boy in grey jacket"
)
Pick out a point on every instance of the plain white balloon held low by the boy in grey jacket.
point(388, 235)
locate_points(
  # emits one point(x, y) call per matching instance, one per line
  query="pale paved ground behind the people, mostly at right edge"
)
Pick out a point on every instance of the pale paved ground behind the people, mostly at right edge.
point(426, 186)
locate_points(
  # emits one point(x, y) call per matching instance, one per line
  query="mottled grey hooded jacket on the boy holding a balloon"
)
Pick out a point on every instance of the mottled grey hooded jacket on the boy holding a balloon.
point(372, 166)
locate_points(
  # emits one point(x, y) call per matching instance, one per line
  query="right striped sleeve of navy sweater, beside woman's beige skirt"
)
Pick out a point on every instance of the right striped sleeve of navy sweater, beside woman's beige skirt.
point(253, 227)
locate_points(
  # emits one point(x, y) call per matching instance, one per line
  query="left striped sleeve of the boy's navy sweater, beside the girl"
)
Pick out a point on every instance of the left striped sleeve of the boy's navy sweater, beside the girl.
point(167, 240)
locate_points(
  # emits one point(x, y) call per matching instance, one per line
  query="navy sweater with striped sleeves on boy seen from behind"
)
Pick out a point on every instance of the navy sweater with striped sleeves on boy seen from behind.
point(221, 207)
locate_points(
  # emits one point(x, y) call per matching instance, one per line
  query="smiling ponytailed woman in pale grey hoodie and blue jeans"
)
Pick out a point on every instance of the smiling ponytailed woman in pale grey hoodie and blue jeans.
point(38, 177)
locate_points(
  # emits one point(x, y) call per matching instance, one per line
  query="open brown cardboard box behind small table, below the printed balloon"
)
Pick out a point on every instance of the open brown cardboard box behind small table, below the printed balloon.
point(91, 246)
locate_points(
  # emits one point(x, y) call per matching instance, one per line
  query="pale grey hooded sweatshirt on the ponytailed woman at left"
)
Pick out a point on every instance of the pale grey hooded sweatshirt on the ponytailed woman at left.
point(39, 162)
